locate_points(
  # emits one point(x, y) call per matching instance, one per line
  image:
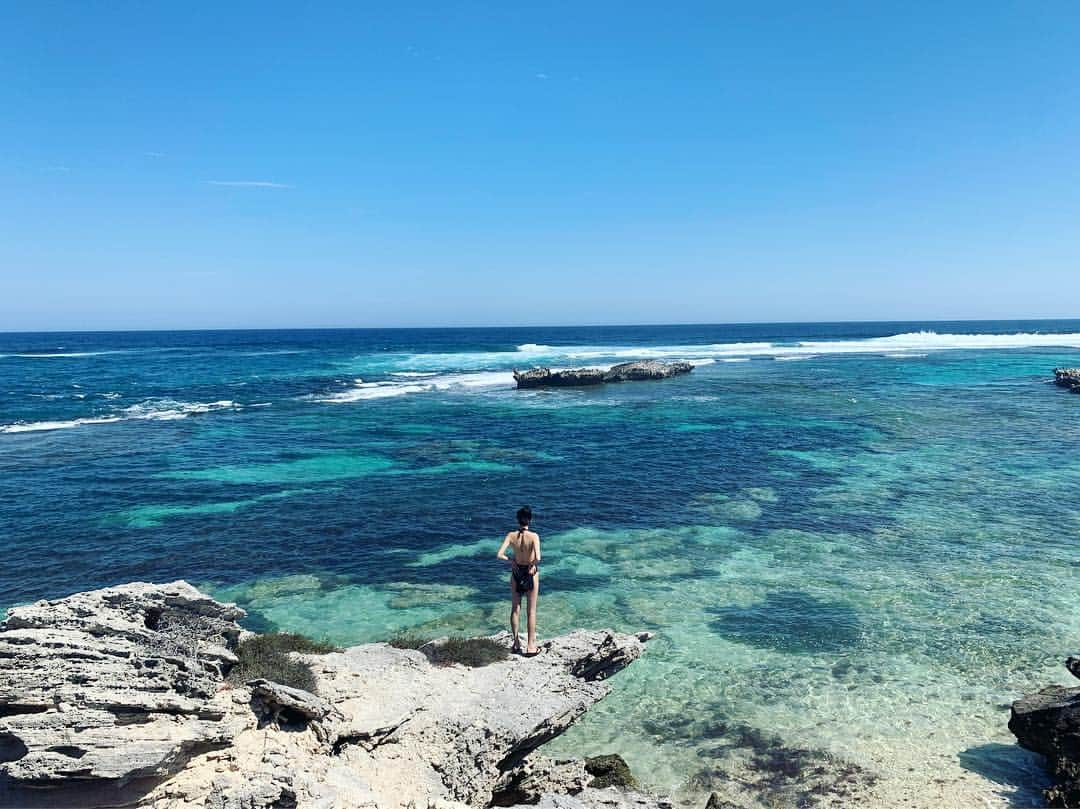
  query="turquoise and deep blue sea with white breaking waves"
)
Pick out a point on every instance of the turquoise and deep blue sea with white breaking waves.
point(853, 561)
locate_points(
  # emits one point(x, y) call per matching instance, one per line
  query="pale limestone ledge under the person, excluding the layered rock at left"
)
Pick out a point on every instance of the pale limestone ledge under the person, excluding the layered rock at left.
point(403, 730)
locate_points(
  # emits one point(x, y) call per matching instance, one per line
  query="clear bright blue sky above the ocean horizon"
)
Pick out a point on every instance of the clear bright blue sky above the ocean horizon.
point(287, 165)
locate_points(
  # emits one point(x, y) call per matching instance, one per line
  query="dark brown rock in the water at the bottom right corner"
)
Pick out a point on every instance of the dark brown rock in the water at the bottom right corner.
point(1048, 723)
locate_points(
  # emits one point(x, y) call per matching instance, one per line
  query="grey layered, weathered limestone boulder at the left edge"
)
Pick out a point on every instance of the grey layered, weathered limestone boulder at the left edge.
point(114, 684)
